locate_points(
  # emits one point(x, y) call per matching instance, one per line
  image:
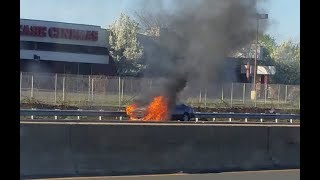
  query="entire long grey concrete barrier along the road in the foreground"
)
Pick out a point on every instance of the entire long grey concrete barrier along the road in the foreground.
point(105, 149)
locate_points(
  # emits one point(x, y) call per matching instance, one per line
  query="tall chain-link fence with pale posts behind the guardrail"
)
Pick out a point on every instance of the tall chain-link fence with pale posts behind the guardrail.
point(119, 92)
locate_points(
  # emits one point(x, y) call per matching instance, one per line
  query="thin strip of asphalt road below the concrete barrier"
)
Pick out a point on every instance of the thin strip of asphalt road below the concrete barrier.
point(245, 175)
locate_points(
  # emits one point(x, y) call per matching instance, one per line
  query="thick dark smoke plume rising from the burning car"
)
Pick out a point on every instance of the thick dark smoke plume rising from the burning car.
point(197, 37)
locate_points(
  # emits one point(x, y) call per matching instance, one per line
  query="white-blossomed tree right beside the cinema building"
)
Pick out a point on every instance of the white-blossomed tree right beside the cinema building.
point(124, 46)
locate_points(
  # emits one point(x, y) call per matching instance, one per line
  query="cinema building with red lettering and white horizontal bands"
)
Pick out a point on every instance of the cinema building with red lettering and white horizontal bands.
point(56, 47)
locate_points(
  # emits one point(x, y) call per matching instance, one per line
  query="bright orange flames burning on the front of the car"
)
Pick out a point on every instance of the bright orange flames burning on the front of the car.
point(157, 110)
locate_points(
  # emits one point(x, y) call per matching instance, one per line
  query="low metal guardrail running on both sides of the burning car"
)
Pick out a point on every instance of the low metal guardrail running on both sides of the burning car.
point(51, 112)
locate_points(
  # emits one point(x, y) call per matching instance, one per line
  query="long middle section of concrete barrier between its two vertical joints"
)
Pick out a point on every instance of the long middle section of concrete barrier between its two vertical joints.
point(163, 149)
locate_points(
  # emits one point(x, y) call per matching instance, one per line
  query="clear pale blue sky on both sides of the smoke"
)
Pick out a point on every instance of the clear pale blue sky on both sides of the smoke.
point(284, 15)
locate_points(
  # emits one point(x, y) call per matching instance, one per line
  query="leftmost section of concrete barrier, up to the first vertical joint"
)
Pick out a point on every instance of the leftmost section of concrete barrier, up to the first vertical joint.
point(45, 150)
